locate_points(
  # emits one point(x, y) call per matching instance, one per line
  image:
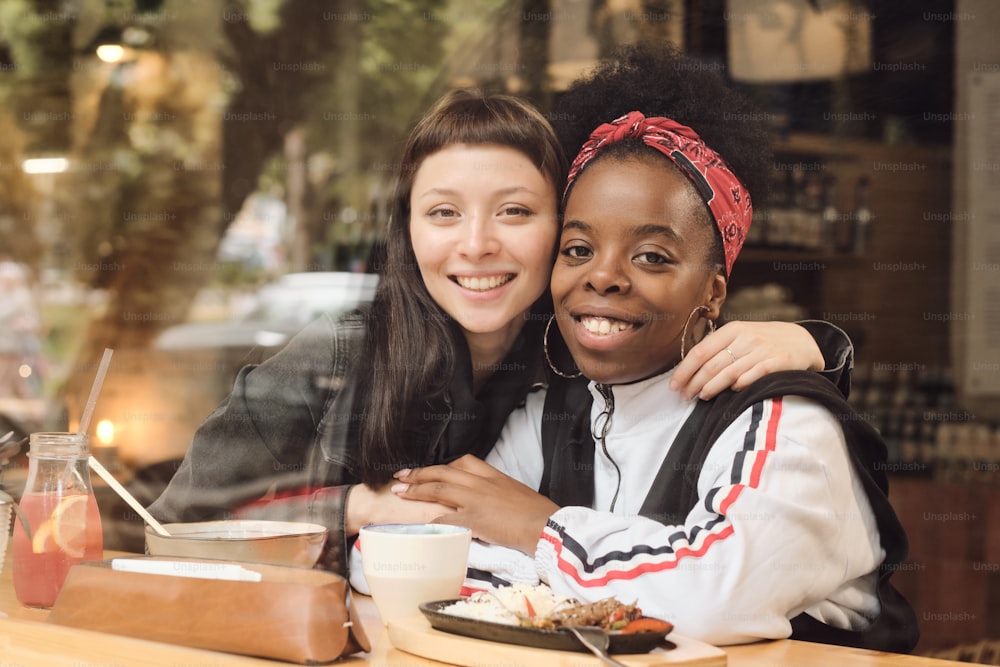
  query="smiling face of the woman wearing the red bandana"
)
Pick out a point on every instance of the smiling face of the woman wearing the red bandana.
point(633, 262)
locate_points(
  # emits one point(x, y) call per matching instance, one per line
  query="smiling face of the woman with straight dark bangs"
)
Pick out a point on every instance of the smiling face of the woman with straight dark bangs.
point(483, 226)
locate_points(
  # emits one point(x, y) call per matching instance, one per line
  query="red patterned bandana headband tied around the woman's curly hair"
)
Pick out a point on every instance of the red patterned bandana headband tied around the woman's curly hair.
point(720, 189)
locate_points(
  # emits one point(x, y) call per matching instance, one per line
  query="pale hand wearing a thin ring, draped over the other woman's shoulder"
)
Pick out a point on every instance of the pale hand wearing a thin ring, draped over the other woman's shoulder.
point(740, 353)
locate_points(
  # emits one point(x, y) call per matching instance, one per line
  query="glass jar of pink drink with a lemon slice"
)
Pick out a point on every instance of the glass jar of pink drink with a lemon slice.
point(59, 507)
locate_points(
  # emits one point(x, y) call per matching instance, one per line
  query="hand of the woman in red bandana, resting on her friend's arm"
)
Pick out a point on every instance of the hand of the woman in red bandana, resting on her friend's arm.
point(497, 508)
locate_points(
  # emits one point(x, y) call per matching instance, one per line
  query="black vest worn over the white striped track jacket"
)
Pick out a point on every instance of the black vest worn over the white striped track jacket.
point(568, 480)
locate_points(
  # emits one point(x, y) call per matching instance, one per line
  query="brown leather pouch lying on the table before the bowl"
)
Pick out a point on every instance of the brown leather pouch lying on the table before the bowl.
point(293, 614)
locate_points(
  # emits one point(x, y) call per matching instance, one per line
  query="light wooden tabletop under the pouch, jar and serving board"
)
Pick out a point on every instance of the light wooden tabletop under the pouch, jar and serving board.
point(26, 639)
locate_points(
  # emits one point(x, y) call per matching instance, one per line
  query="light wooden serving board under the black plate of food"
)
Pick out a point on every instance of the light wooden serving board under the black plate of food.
point(418, 637)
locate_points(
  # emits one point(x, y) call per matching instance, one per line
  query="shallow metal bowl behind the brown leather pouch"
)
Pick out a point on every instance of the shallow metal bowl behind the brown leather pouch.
point(273, 542)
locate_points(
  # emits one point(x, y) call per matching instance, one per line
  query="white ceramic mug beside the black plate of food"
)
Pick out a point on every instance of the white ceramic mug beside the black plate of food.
point(408, 564)
